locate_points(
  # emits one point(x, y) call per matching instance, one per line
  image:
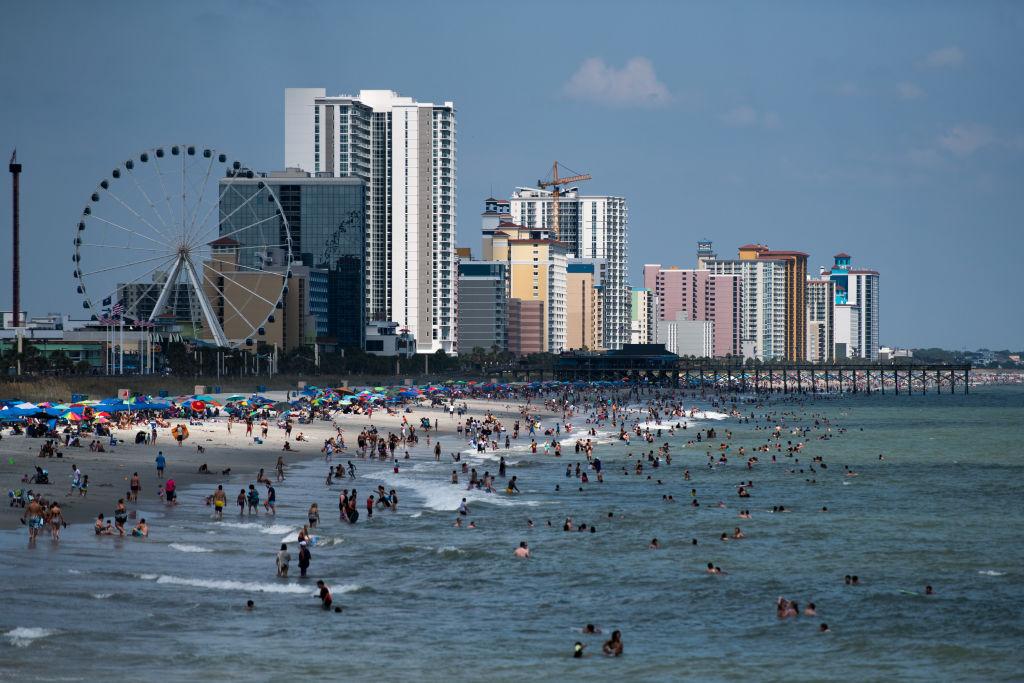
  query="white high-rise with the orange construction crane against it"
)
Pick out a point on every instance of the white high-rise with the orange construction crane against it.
point(592, 227)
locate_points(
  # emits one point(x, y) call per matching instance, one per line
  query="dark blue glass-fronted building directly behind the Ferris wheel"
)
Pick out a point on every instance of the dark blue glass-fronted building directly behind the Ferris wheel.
point(327, 226)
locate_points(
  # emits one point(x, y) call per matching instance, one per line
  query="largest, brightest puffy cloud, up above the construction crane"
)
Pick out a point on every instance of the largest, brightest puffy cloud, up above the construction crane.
point(633, 86)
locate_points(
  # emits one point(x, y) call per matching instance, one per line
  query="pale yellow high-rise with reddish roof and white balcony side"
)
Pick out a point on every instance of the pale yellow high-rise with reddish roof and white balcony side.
point(537, 273)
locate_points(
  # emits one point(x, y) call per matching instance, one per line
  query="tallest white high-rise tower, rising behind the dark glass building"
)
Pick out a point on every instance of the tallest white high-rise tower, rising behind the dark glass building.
point(405, 152)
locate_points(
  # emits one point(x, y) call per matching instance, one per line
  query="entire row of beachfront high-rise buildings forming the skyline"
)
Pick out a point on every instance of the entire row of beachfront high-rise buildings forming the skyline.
point(368, 194)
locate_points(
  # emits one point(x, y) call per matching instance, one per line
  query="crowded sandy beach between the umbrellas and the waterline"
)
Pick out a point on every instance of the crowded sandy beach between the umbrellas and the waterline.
point(110, 473)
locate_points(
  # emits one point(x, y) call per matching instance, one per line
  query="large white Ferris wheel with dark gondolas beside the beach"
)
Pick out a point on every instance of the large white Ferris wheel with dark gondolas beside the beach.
point(182, 239)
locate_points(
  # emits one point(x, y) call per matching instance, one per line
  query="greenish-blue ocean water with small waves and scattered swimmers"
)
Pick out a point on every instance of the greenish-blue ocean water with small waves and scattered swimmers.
point(424, 601)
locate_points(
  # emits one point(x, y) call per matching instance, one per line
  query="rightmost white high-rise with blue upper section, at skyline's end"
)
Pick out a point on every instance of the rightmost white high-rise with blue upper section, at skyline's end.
point(857, 310)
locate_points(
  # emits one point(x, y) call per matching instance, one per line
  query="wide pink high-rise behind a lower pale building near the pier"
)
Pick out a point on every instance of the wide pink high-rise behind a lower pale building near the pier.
point(703, 296)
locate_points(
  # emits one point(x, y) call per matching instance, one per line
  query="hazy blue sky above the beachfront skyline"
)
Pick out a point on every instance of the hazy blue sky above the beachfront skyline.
point(891, 132)
